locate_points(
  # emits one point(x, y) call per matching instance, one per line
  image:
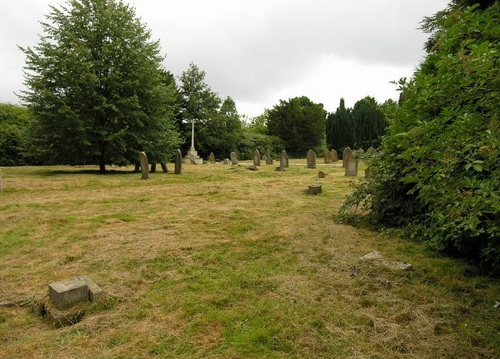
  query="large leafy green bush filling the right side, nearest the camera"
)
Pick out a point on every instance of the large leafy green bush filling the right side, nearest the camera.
point(439, 166)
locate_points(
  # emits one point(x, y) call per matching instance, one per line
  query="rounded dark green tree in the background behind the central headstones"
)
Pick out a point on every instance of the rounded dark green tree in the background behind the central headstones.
point(299, 122)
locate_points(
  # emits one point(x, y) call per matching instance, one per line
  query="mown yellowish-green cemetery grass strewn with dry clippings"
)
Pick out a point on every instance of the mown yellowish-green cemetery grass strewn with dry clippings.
point(224, 262)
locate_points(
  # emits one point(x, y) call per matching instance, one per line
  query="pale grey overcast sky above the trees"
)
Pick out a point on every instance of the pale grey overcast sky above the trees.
point(261, 51)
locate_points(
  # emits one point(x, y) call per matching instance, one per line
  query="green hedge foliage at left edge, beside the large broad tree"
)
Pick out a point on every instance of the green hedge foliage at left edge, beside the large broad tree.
point(13, 121)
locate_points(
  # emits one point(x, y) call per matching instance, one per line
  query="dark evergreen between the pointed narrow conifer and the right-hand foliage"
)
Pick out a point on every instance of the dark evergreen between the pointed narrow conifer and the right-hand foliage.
point(369, 123)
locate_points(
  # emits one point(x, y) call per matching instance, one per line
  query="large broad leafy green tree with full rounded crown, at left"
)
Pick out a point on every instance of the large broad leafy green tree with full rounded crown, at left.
point(96, 87)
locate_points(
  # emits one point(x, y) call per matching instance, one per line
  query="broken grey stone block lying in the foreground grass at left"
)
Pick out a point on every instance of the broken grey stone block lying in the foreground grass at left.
point(70, 292)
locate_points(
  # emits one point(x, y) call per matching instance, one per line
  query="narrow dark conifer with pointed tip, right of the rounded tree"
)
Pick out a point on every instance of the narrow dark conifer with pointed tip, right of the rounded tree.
point(340, 128)
